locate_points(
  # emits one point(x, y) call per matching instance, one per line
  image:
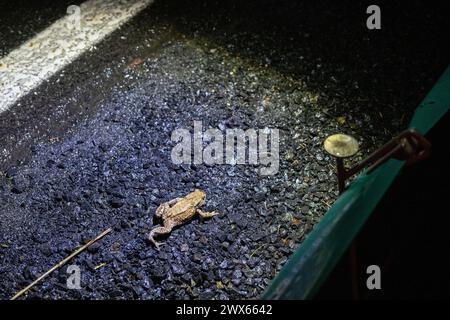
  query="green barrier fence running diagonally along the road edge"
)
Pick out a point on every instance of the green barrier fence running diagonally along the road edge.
point(310, 265)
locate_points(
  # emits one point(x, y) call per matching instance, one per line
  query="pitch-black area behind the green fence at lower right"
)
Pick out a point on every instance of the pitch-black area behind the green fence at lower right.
point(407, 235)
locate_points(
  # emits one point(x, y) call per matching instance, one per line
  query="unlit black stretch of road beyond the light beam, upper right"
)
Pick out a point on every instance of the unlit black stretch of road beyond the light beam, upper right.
point(327, 45)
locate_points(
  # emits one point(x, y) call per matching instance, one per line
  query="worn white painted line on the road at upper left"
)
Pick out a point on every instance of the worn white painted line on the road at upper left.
point(24, 68)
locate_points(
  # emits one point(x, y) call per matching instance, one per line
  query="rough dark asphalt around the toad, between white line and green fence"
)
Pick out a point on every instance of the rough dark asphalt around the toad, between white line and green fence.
point(90, 148)
